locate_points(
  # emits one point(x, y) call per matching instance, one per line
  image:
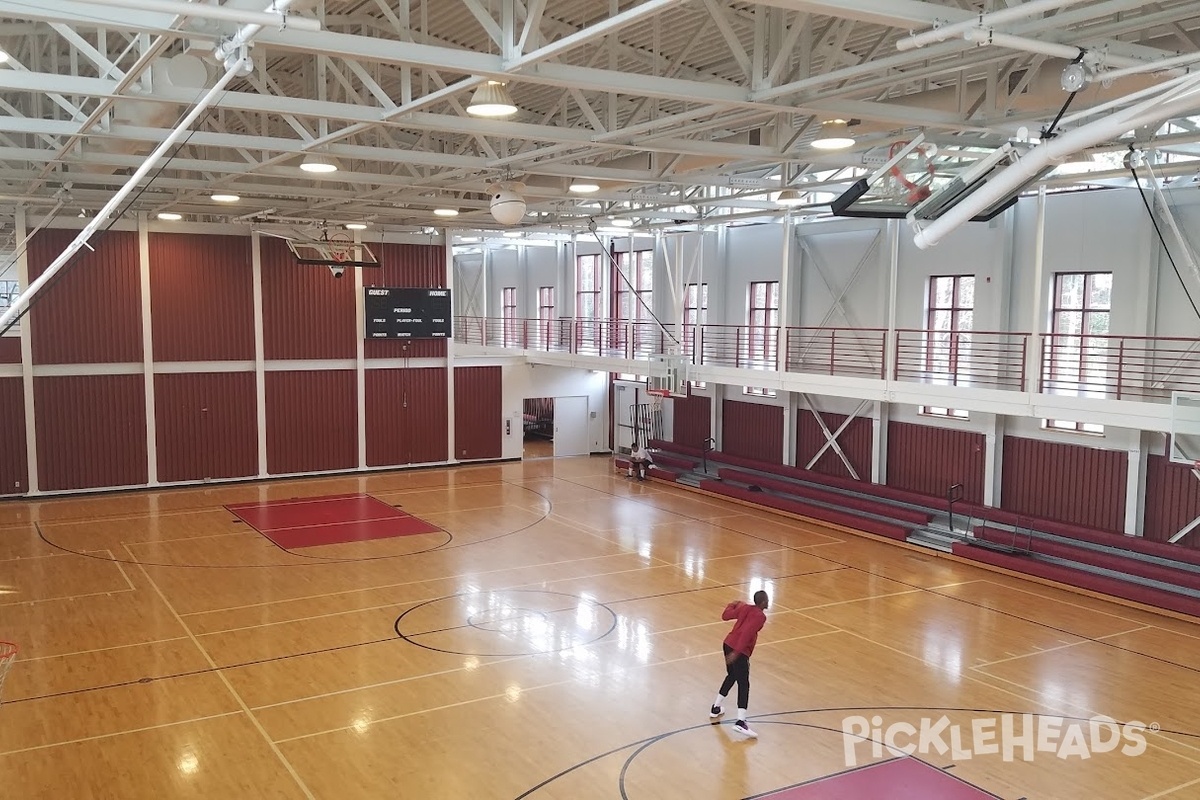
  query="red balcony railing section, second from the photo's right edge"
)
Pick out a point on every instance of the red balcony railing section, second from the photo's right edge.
point(987, 359)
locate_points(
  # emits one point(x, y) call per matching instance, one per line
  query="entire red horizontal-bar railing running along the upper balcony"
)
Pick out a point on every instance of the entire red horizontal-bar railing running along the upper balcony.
point(1121, 368)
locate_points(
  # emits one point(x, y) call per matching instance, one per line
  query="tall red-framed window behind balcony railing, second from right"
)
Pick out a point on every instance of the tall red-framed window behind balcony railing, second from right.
point(949, 326)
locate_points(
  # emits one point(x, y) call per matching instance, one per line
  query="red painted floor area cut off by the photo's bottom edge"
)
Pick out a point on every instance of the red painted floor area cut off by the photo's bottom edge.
point(904, 779)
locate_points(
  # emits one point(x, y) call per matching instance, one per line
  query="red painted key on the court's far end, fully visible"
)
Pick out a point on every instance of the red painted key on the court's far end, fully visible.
point(337, 520)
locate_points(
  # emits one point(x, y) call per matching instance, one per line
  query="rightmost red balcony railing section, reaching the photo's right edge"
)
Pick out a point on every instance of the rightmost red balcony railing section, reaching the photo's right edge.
point(1120, 368)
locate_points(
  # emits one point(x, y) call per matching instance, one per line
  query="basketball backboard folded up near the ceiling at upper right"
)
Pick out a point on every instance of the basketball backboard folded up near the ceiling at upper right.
point(921, 182)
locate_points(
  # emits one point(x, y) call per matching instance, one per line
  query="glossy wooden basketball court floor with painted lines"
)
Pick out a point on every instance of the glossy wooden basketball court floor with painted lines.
point(559, 637)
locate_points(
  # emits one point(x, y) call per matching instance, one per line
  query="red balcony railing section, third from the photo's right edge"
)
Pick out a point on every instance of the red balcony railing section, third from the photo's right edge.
point(854, 352)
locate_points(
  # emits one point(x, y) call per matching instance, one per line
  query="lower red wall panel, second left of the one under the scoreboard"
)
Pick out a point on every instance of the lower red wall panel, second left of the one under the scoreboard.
point(207, 426)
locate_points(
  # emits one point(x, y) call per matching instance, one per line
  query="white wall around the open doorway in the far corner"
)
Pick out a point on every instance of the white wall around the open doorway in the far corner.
point(525, 381)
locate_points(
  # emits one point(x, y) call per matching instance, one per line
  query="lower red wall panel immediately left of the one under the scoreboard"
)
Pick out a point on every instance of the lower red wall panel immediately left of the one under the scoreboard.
point(313, 423)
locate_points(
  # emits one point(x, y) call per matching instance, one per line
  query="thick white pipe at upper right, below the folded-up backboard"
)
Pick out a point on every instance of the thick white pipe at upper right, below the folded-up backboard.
point(1183, 100)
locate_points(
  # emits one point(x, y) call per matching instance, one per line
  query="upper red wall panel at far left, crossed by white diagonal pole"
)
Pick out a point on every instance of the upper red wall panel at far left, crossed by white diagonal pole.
point(92, 312)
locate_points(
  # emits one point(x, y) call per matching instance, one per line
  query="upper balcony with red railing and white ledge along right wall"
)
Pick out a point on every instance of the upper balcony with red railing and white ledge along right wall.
point(1120, 381)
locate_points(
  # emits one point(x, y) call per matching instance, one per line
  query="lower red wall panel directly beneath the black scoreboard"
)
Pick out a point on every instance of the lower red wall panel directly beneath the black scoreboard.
point(406, 417)
